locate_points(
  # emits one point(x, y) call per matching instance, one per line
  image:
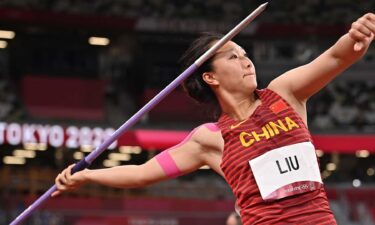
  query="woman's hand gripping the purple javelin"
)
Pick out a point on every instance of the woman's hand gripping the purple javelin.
point(65, 181)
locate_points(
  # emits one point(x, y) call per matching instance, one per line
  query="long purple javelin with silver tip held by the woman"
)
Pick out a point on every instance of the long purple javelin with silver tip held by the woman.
point(84, 163)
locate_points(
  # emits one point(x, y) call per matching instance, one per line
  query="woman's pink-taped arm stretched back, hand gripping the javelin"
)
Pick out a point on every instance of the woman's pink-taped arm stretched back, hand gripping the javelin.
point(194, 152)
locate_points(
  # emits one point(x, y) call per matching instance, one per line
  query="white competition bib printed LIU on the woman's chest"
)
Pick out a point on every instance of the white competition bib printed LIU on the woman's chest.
point(287, 171)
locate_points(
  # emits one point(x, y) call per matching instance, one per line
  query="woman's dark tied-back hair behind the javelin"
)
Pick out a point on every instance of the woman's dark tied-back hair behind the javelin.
point(194, 85)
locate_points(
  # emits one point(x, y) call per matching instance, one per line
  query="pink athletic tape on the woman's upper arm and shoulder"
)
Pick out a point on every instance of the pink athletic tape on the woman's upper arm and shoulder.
point(166, 161)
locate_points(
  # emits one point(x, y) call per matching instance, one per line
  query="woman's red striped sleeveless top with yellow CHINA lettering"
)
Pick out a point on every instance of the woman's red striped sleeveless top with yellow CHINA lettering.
point(274, 125)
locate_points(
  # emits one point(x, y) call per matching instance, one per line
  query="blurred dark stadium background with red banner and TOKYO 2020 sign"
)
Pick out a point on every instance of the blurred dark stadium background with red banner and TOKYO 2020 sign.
point(72, 71)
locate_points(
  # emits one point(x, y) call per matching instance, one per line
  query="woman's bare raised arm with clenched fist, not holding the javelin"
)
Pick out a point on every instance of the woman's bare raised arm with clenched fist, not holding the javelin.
point(304, 81)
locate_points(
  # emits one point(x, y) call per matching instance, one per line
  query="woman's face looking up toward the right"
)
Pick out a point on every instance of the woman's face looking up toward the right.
point(233, 70)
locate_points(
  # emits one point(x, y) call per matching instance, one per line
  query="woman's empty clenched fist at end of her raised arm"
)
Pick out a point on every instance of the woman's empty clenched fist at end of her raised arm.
point(363, 31)
